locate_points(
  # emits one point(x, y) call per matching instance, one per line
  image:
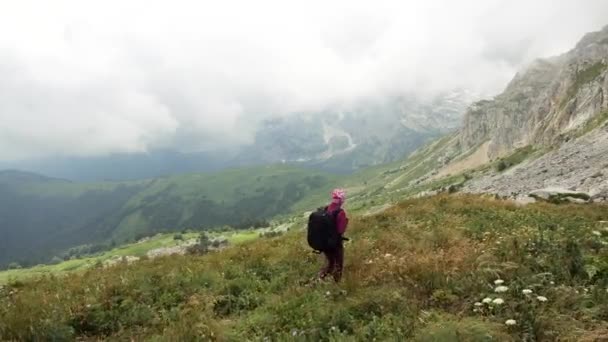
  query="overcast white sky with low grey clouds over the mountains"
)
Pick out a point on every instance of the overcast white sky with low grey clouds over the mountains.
point(94, 77)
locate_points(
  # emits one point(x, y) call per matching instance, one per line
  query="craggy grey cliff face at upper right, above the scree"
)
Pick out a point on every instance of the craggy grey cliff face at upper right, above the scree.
point(543, 103)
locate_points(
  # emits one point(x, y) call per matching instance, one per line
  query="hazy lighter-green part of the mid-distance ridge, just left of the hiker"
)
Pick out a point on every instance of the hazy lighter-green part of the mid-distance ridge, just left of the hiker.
point(260, 192)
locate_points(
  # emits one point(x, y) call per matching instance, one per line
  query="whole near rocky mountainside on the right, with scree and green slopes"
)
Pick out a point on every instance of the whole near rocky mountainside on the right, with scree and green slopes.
point(547, 132)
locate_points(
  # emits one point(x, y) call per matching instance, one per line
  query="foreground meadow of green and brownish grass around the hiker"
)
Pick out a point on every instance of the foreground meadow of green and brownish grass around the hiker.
point(414, 272)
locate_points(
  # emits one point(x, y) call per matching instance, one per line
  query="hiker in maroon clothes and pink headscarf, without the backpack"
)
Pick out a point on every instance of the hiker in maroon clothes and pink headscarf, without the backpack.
point(335, 256)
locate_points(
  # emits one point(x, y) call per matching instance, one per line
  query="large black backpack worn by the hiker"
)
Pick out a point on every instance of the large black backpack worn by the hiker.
point(322, 231)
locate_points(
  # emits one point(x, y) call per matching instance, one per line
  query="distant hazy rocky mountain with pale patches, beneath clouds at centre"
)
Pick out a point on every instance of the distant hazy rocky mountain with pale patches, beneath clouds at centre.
point(368, 133)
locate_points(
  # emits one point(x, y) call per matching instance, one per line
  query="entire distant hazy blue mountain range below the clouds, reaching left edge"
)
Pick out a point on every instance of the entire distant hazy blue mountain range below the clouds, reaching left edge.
point(340, 139)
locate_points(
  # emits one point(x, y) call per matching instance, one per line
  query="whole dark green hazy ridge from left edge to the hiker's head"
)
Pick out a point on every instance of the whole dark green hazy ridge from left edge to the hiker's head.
point(41, 217)
